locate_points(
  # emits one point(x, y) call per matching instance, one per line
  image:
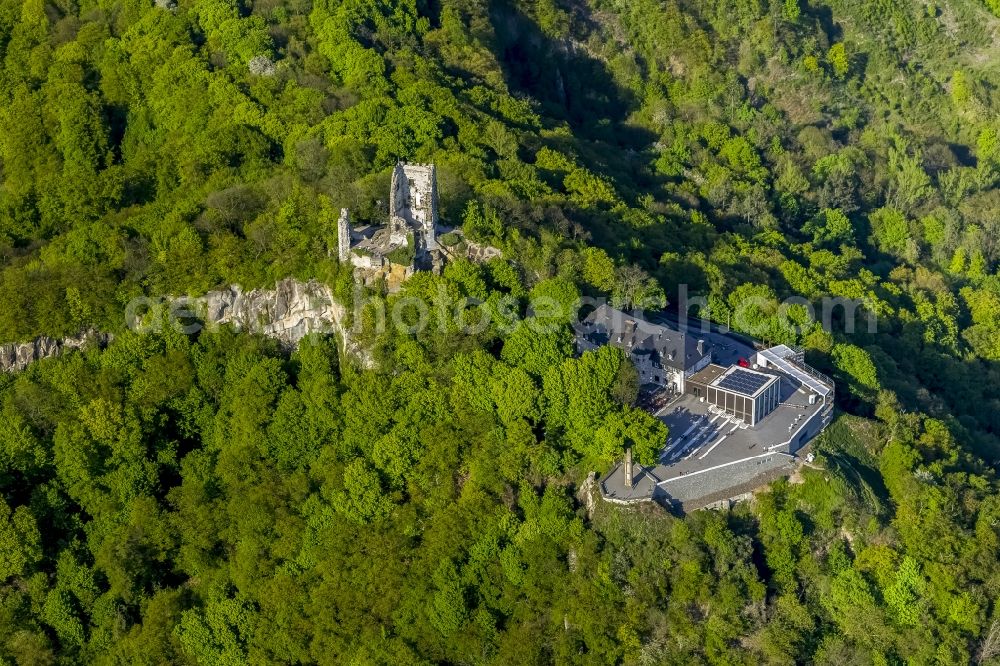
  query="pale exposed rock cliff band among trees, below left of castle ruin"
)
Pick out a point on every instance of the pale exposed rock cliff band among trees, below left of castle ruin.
point(289, 312)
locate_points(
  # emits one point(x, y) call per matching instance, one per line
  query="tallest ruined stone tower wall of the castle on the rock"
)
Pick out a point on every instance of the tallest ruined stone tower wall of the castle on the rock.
point(413, 201)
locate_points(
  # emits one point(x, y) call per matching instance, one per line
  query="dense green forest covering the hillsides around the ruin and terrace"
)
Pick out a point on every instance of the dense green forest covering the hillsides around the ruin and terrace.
point(212, 499)
